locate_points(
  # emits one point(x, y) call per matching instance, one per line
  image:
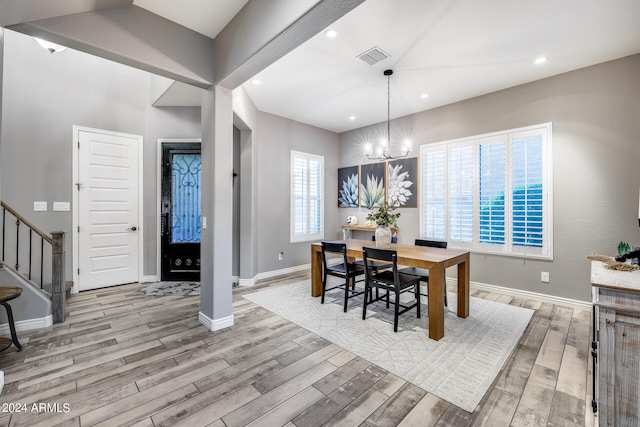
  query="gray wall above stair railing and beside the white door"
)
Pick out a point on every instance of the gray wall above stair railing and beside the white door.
point(44, 96)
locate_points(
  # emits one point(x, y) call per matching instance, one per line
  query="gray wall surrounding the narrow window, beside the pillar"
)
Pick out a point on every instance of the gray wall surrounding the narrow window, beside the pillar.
point(277, 137)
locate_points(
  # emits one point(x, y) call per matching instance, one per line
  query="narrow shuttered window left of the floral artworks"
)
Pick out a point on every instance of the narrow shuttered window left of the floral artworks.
point(307, 205)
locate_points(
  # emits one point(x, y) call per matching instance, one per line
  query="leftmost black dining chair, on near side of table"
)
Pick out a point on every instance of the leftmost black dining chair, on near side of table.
point(344, 269)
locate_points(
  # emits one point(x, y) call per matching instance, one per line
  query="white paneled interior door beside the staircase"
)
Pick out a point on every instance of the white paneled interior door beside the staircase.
point(107, 208)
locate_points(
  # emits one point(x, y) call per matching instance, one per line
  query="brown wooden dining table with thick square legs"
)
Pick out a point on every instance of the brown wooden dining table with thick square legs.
point(436, 260)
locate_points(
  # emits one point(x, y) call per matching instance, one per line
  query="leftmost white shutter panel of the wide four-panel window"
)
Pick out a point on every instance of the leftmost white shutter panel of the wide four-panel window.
point(434, 194)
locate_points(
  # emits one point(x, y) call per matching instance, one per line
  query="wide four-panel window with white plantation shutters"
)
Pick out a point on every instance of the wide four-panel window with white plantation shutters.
point(491, 193)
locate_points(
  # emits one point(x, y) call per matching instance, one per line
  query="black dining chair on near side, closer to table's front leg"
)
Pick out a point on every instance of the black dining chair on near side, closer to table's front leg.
point(390, 281)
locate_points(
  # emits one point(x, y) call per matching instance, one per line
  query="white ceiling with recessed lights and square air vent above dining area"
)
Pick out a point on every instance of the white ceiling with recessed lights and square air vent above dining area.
point(452, 50)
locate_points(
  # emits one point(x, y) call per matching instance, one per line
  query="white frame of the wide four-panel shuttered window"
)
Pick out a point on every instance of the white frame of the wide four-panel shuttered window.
point(508, 248)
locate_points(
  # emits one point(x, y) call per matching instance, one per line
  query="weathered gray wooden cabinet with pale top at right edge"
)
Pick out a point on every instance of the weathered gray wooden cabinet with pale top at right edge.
point(616, 300)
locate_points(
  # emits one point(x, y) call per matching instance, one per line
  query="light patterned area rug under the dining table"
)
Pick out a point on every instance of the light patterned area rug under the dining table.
point(459, 368)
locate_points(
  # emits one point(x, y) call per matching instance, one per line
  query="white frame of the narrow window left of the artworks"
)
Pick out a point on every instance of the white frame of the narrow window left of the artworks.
point(308, 235)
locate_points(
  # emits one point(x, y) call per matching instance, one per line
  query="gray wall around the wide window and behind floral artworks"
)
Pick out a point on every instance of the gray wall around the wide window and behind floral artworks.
point(596, 175)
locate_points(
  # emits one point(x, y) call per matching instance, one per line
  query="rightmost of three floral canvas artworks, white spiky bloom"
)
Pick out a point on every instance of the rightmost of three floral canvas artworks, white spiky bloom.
point(402, 176)
